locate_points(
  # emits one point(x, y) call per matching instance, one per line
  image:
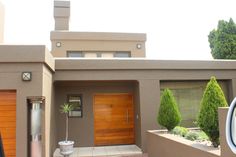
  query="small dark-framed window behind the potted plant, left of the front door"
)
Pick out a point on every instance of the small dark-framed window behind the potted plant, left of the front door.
point(76, 100)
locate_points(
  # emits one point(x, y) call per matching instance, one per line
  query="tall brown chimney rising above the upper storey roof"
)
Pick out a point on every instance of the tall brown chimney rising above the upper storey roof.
point(61, 14)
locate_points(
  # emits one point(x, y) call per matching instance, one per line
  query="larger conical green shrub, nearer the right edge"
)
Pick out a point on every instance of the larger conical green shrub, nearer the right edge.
point(213, 98)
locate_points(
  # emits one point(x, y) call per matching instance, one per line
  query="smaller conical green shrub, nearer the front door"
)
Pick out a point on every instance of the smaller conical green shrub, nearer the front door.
point(168, 115)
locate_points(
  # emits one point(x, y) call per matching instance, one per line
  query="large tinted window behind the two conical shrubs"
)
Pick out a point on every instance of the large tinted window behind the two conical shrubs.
point(188, 95)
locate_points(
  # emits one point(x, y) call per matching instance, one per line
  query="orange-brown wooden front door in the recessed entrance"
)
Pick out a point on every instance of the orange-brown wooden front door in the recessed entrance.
point(113, 119)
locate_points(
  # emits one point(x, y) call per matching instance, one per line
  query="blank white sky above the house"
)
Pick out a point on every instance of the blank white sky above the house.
point(176, 30)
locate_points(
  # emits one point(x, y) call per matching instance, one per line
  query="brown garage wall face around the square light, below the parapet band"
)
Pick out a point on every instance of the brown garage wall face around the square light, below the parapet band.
point(10, 79)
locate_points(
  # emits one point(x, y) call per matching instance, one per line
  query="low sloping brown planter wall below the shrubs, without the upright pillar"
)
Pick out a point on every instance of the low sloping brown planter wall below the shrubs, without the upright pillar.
point(160, 144)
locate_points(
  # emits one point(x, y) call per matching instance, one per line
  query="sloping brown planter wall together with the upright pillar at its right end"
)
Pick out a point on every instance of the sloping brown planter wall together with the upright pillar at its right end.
point(159, 144)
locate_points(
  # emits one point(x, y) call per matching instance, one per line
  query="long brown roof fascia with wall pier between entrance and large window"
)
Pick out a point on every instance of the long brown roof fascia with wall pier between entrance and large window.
point(148, 74)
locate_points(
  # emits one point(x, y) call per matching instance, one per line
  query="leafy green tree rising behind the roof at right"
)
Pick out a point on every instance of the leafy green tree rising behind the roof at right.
point(223, 40)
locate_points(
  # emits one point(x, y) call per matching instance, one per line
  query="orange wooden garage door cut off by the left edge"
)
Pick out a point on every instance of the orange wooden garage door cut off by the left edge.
point(8, 122)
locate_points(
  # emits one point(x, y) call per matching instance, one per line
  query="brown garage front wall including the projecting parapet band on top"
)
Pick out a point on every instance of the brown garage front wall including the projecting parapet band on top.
point(13, 61)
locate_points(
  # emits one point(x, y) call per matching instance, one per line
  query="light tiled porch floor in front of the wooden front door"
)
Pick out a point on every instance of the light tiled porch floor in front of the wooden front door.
point(107, 151)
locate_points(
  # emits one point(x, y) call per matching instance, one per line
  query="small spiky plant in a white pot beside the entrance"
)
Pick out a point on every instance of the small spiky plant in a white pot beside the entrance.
point(66, 147)
